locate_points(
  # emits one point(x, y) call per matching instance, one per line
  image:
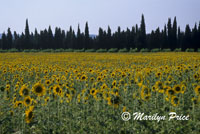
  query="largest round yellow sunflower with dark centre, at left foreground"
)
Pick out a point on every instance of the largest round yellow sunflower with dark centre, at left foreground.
point(39, 89)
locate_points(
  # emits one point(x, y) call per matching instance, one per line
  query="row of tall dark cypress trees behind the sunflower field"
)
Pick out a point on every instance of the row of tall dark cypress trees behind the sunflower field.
point(170, 37)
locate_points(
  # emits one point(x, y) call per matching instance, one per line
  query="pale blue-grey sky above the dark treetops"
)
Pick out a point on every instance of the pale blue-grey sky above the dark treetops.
point(98, 13)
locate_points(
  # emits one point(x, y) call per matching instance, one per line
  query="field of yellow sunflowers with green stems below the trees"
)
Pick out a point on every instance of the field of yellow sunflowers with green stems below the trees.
point(82, 93)
